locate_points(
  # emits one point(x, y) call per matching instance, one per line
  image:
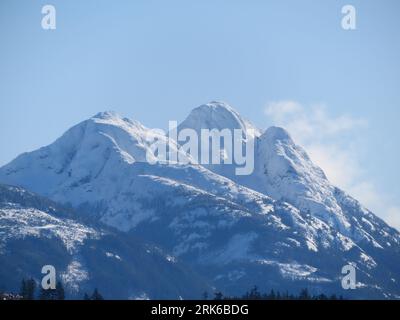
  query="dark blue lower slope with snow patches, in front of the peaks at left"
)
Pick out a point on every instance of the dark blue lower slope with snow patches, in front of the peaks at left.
point(35, 232)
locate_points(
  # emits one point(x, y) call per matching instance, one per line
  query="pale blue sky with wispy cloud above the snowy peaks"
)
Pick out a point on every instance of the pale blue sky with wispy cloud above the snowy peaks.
point(156, 60)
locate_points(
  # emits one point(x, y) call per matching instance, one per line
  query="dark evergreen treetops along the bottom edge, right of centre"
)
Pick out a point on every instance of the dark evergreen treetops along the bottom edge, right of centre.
point(255, 294)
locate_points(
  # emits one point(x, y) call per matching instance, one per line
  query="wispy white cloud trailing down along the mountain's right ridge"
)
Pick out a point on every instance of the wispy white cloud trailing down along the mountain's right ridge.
point(331, 143)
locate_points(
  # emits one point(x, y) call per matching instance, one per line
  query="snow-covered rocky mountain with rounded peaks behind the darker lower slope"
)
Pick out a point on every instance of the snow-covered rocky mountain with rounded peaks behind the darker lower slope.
point(285, 226)
